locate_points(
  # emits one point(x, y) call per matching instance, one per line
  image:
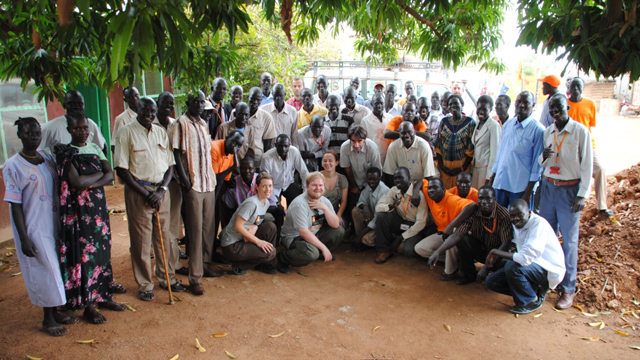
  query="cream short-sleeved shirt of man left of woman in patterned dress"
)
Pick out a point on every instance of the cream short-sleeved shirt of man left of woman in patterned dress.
point(418, 158)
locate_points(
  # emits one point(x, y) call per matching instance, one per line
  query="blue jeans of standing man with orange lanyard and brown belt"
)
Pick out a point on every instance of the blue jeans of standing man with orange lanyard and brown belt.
point(555, 207)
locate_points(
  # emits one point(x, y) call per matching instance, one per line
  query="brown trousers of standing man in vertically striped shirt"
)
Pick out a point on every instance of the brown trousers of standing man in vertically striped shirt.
point(200, 224)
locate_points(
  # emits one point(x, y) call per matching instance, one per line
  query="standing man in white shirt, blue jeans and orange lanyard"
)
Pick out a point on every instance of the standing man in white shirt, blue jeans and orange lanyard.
point(567, 162)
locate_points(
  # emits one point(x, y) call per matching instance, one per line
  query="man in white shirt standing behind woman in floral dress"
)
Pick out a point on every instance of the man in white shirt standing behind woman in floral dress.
point(55, 131)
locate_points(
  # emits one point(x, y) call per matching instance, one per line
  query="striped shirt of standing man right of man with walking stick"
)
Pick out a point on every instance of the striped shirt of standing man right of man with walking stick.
point(191, 137)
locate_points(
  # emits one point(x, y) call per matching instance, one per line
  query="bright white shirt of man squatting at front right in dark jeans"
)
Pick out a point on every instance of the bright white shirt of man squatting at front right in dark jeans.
point(537, 243)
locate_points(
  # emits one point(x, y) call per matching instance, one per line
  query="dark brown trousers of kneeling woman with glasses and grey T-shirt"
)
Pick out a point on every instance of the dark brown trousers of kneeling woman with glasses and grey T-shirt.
point(246, 254)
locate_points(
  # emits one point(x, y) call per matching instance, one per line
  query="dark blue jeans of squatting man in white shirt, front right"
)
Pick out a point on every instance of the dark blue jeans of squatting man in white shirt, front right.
point(520, 282)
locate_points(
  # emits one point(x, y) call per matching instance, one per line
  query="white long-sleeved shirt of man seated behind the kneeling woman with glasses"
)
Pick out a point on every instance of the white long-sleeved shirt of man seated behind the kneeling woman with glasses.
point(283, 171)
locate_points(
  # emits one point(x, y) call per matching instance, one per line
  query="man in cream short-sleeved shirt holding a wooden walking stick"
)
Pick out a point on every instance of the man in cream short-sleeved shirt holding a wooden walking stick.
point(144, 161)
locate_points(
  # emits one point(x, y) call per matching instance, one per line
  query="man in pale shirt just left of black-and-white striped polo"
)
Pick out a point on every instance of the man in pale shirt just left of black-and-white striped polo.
point(312, 140)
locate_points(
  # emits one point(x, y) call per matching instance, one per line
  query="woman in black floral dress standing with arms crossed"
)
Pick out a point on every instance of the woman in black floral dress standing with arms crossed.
point(85, 248)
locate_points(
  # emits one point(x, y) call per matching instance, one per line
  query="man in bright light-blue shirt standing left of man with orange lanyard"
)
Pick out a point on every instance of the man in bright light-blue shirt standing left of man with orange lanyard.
point(516, 169)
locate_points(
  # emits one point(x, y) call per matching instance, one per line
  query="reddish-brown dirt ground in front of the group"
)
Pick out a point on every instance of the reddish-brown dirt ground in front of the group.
point(347, 309)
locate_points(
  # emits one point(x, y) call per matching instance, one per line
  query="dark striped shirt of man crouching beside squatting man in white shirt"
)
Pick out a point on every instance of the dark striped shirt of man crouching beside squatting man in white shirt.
point(483, 229)
